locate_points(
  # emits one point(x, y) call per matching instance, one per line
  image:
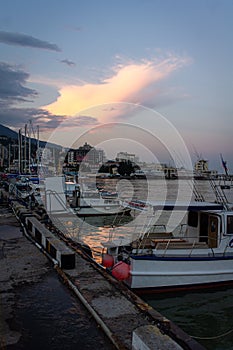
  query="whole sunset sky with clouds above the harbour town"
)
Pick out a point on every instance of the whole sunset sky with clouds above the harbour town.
point(79, 68)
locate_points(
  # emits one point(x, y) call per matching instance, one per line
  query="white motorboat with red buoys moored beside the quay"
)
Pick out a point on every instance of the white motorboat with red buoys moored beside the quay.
point(199, 255)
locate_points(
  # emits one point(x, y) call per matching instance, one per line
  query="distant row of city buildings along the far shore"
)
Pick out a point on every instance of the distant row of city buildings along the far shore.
point(28, 155)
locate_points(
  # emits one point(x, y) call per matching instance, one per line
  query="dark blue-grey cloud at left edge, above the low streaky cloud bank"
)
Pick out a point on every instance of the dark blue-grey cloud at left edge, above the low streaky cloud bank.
point(12, 89)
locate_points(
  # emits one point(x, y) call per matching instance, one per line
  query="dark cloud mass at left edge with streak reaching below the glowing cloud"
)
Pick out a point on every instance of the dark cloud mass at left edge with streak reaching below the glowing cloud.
point(13, 92)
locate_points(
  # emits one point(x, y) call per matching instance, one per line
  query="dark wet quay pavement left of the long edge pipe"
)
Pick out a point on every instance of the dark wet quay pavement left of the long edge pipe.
point(26, 275)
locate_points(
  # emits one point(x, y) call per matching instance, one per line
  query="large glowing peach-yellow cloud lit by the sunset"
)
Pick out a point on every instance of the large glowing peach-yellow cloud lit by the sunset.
point(132, 82)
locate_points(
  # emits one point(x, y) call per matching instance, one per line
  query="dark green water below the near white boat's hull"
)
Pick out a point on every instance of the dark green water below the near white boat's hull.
point(200, 314)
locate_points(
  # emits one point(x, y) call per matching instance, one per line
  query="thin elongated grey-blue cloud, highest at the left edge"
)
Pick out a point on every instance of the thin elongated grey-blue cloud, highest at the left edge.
point(26, 40)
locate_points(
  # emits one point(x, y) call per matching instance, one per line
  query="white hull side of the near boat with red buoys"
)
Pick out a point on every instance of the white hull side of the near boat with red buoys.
point(169, 273)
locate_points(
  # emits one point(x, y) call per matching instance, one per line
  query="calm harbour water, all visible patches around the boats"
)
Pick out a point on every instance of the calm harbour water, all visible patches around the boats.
point(205, 314)
